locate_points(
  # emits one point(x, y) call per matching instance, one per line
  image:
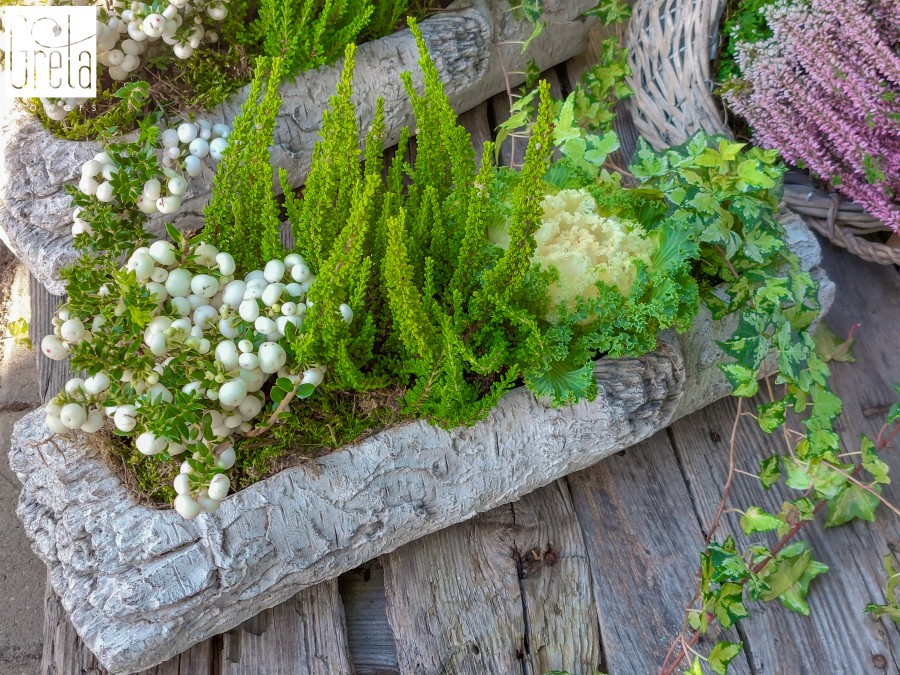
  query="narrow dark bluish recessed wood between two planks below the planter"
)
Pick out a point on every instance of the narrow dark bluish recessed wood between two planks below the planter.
point(369, 637)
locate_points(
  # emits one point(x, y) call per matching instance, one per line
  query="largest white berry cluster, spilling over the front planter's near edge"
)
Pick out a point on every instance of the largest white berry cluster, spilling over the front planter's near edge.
point(225, 335)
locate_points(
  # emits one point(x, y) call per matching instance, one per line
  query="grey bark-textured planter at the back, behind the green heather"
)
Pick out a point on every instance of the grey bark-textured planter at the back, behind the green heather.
point(471, 42)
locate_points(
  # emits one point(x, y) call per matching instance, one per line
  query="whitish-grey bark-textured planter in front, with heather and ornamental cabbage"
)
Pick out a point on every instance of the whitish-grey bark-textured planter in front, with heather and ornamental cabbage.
point(142, 585)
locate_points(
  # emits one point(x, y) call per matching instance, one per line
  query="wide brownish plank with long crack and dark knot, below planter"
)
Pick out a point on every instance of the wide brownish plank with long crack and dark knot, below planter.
point(508, 591)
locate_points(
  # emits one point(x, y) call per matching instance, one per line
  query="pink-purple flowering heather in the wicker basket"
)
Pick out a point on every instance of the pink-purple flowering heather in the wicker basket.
point(824, 89)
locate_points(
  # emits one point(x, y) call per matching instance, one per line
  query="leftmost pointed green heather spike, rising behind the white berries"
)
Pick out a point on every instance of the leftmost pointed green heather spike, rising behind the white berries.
point(243, 216)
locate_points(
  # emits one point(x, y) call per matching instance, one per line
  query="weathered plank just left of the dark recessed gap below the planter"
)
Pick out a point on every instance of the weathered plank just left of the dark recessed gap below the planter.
point(306, 635)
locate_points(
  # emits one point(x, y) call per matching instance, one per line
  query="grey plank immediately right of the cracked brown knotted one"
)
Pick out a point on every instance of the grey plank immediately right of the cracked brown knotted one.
point(643, 541)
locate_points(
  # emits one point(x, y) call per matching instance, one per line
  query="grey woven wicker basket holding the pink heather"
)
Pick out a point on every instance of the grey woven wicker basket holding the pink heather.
point(672, 44)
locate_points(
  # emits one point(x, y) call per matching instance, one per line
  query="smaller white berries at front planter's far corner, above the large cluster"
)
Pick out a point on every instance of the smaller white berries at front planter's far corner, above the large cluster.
point(185, 148)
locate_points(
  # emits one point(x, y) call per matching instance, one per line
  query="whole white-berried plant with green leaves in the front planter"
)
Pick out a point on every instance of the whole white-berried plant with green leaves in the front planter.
point(179, 353)
